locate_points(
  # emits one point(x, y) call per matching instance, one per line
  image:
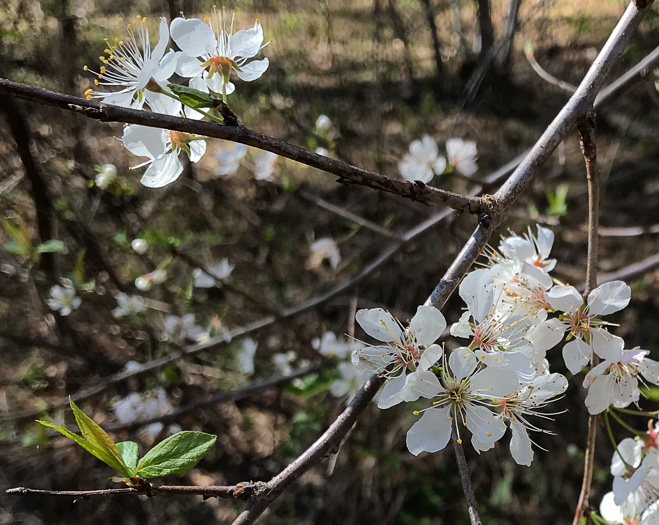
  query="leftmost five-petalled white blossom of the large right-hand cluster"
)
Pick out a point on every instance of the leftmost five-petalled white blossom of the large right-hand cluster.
point(404, 349)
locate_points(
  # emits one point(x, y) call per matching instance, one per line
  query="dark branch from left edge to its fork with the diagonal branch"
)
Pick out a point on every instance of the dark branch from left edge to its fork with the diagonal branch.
point(346, 173)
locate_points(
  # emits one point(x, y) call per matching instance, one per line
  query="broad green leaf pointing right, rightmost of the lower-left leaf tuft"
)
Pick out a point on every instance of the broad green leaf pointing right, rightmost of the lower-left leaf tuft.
point(175, 455)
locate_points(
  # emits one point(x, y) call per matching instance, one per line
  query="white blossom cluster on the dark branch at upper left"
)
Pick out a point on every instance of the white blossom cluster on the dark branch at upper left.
point(209, 55)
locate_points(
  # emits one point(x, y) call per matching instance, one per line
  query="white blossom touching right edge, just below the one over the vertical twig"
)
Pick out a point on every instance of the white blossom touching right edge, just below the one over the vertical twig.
point(614, 381)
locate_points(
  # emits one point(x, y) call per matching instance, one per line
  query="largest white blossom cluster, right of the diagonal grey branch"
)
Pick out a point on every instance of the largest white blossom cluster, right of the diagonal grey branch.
point(514, 314)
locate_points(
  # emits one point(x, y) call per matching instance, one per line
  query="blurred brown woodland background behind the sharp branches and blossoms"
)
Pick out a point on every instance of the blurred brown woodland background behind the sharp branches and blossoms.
point(384, 73)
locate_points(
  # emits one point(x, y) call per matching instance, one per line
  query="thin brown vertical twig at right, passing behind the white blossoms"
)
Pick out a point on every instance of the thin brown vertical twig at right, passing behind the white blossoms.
point(588, 145)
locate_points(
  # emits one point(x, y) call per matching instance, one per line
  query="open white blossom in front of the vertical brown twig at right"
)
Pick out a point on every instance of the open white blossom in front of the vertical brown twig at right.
point(582, 320)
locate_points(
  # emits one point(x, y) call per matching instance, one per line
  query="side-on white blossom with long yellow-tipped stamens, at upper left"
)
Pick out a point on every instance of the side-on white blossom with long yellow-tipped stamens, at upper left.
point(131, 64)
